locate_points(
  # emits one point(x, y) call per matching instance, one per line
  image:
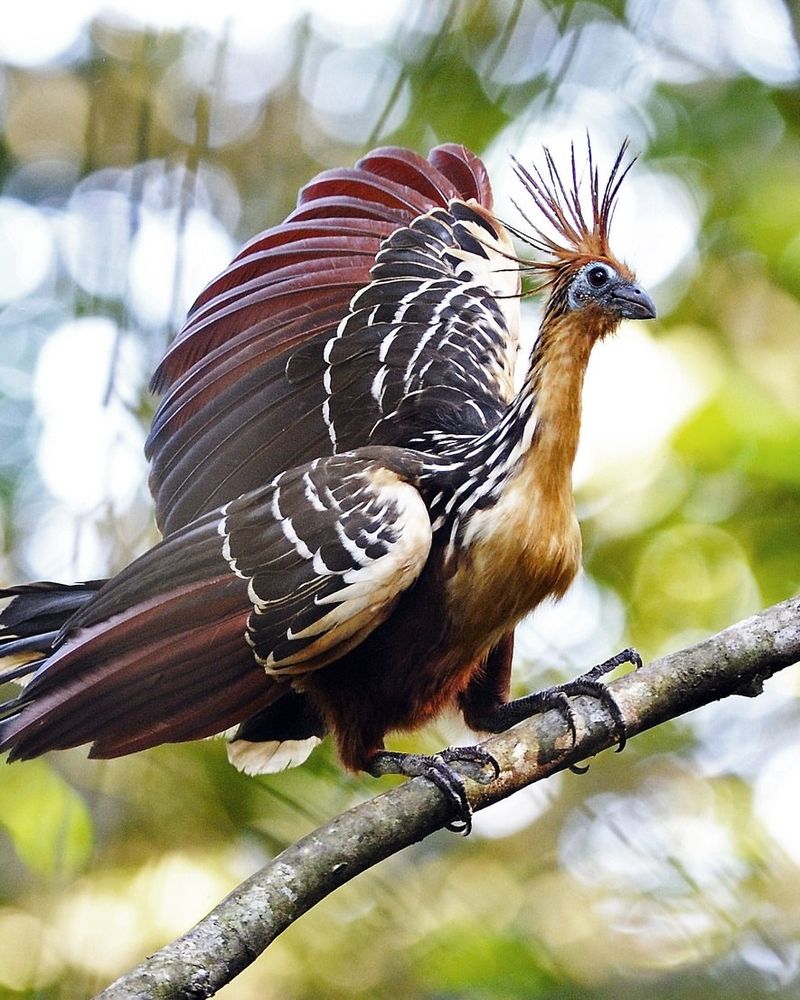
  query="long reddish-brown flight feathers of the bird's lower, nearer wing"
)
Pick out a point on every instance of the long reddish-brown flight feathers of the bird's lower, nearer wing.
point(142, 678)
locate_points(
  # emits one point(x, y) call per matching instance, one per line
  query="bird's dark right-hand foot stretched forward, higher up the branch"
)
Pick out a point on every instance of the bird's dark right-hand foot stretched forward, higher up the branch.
point(502, 715)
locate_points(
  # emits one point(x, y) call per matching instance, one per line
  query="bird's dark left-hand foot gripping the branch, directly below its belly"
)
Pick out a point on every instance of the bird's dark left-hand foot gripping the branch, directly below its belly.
point(442, 769)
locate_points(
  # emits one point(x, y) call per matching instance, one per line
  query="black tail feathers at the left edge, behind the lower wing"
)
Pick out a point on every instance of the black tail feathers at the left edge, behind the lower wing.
point(34, 615)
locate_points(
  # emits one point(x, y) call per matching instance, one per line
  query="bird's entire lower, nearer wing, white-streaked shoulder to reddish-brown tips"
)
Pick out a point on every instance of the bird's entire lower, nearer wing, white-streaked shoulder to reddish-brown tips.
point(194, 637)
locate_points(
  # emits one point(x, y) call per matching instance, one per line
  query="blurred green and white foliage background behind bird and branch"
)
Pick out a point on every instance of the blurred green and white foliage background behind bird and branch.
point(133, 161)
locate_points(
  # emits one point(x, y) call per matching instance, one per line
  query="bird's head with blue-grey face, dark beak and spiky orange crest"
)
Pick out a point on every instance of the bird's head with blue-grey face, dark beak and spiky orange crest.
point(582, 274)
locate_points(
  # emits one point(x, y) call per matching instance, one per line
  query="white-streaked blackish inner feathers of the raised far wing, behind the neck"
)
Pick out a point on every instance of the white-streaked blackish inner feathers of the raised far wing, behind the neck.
point(428, 347)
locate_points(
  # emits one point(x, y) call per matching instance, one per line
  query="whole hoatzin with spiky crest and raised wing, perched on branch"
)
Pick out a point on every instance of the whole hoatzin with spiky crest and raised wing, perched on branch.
point(357, 508)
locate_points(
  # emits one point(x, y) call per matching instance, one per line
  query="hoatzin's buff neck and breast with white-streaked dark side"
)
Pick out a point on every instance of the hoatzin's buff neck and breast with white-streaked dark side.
point(512, 539)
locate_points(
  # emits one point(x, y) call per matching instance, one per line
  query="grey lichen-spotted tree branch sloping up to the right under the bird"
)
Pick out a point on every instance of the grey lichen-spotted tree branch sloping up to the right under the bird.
point(736, 661)
